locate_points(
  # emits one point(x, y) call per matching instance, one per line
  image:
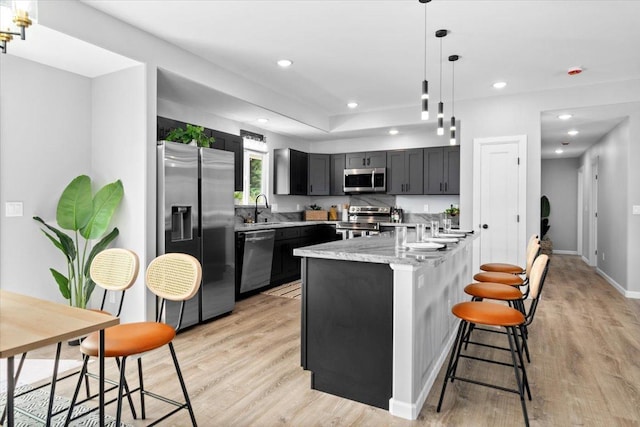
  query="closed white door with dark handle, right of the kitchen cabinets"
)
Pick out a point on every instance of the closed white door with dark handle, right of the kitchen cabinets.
point(499, 198)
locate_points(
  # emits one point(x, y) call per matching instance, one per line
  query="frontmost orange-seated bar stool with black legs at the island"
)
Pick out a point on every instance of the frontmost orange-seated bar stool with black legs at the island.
point(489, 314)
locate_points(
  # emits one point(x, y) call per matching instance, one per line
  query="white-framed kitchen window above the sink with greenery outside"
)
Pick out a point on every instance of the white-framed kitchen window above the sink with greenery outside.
point(254, 176)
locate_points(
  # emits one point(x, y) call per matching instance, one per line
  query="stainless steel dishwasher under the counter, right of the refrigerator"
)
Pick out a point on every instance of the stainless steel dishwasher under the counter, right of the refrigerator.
point(256, 259)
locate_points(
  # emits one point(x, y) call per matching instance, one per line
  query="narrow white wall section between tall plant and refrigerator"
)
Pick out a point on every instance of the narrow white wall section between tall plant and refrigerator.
point(119, 136)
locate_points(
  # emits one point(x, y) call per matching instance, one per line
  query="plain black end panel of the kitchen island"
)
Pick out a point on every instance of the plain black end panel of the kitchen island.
point(347, 331)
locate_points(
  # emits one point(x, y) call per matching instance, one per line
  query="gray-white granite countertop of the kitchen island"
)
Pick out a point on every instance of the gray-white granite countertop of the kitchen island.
point(381, 249)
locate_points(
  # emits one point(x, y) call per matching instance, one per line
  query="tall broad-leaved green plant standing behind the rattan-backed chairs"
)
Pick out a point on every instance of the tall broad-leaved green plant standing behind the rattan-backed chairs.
point(87, 216)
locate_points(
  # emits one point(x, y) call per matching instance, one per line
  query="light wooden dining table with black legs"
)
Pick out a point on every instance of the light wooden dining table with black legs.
point(28, 323)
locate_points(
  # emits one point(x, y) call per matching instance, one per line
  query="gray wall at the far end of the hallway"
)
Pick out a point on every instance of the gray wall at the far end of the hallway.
point(560, 185)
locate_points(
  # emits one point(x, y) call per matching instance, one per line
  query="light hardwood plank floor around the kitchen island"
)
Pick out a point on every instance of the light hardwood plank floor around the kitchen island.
point(244, 369)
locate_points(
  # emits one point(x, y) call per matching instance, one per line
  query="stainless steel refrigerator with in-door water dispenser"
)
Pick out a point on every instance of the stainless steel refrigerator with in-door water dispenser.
point(196, 216)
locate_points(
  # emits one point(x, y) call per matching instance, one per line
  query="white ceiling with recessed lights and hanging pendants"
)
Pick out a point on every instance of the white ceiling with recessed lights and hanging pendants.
point(372, 52)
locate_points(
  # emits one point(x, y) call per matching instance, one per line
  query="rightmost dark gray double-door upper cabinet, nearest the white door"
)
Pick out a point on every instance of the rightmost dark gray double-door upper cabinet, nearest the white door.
point(442, 170)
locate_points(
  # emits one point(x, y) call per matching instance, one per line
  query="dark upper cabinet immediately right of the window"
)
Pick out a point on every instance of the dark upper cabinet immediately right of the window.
point(290, 172)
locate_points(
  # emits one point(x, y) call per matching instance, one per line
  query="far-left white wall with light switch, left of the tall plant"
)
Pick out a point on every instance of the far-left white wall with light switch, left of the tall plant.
point(45, 142)
